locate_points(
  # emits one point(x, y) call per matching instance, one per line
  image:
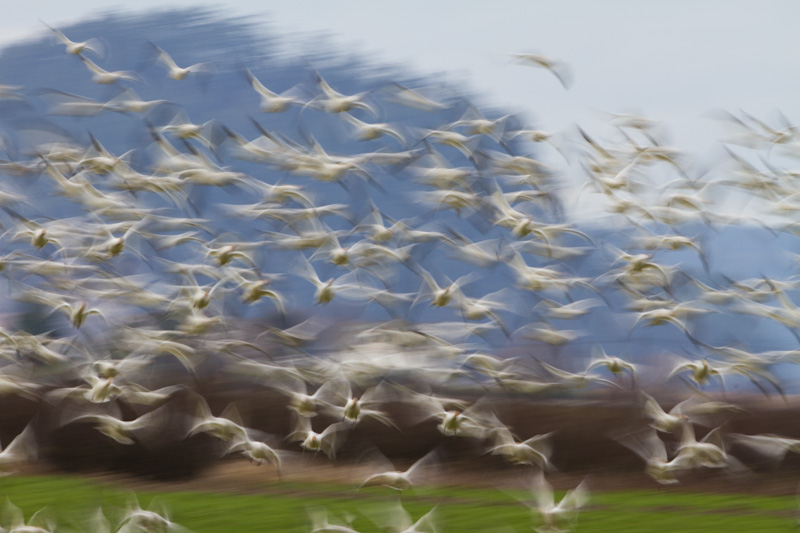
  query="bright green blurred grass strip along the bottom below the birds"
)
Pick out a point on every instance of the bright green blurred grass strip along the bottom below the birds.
point(283, 507)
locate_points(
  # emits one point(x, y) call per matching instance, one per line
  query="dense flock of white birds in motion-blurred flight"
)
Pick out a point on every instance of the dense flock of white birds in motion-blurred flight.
point(142, 275)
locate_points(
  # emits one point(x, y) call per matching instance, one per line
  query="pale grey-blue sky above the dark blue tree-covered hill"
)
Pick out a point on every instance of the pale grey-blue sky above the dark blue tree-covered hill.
point(675, 61)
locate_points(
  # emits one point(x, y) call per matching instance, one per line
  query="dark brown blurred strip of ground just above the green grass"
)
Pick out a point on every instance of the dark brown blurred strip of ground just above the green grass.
point(582, 447)
